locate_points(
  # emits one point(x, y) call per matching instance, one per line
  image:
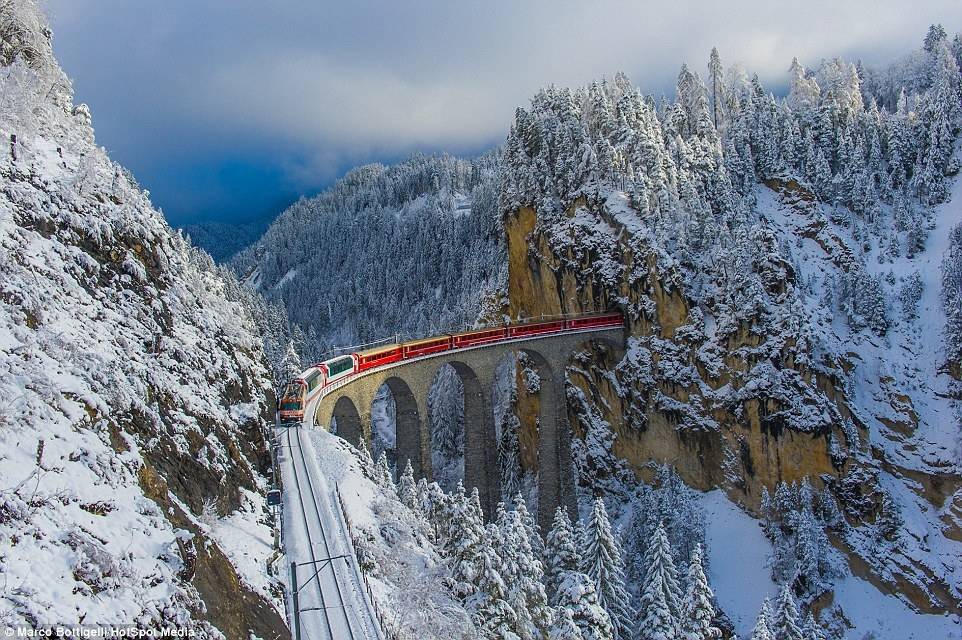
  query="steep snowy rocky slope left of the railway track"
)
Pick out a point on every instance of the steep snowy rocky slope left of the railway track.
point(134, 390)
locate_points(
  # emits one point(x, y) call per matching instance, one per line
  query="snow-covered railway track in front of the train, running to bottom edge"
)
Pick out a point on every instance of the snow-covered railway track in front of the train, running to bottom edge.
point(321, 565)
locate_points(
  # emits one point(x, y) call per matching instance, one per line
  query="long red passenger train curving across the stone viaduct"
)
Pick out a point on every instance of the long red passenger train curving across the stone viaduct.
point(303, 390)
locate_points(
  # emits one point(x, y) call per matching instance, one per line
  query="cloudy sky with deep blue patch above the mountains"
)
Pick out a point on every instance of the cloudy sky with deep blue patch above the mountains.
point(231, 109)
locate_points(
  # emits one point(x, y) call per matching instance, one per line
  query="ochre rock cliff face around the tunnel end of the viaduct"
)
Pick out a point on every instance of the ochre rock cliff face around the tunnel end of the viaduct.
point(746, 447)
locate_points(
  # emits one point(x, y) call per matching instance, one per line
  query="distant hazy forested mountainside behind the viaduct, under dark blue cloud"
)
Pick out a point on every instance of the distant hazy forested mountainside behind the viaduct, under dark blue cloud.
point(413, 249)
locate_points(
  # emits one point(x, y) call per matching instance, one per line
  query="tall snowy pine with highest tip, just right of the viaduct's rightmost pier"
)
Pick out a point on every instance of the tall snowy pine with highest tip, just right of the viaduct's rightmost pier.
point(603, 564)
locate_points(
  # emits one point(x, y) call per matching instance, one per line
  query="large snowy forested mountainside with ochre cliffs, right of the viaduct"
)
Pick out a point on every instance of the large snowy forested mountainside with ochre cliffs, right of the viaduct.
point(786, 269)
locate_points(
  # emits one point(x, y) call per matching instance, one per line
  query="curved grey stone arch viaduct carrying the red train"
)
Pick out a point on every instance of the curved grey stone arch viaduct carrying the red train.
point(349, 401)
